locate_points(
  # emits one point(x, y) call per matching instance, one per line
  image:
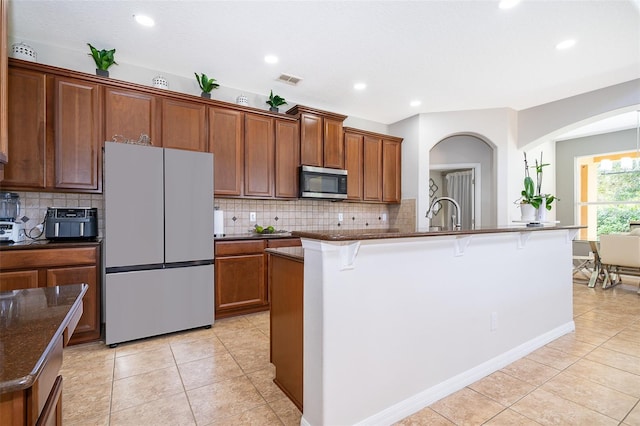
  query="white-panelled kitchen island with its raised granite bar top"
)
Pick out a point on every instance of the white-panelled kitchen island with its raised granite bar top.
point(395, 321)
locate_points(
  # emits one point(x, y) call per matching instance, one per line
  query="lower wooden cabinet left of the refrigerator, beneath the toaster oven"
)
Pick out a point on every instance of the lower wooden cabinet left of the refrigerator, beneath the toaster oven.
point(52, 266)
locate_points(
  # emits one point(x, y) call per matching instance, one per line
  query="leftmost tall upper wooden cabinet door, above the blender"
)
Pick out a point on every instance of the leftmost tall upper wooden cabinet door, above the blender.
point(27, 130)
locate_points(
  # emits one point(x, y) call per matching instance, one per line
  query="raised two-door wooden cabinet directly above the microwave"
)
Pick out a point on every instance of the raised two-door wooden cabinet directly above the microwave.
point(321, 137)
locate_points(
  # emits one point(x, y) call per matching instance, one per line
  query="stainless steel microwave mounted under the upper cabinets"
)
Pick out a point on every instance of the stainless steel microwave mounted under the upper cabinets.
point(323, 183)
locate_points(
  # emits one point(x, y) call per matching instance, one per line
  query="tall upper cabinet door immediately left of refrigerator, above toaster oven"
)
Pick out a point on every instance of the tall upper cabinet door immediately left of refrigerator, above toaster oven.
point(78, 139)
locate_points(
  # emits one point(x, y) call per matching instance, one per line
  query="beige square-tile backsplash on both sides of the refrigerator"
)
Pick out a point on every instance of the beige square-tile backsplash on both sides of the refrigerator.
point(290, 215)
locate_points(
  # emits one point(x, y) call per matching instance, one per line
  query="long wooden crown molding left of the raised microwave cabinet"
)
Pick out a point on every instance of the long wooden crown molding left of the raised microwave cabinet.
point(113, 83)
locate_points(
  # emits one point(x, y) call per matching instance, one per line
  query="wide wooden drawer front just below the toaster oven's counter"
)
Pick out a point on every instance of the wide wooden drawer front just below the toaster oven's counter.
point(45, 258)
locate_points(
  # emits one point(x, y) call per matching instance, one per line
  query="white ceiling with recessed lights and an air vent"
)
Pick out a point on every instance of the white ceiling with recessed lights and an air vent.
point(451, 55)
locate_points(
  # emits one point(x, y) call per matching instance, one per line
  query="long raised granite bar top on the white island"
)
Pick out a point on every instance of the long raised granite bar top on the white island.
point(375, 234)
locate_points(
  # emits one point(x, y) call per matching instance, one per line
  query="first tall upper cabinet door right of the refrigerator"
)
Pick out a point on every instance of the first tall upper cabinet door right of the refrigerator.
point(226, 142)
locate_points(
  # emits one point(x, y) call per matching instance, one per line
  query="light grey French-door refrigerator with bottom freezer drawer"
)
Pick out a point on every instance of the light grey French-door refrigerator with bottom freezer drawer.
point(158, 241)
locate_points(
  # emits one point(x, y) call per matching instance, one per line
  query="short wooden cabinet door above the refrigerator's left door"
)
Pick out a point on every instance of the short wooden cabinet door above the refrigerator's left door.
point(130, 114)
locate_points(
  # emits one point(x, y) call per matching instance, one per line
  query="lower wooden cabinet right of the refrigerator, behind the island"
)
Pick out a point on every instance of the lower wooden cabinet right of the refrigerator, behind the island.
point(241, 275)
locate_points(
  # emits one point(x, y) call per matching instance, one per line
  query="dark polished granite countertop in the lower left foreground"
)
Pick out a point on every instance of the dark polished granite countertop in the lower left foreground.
point(30, 322)
